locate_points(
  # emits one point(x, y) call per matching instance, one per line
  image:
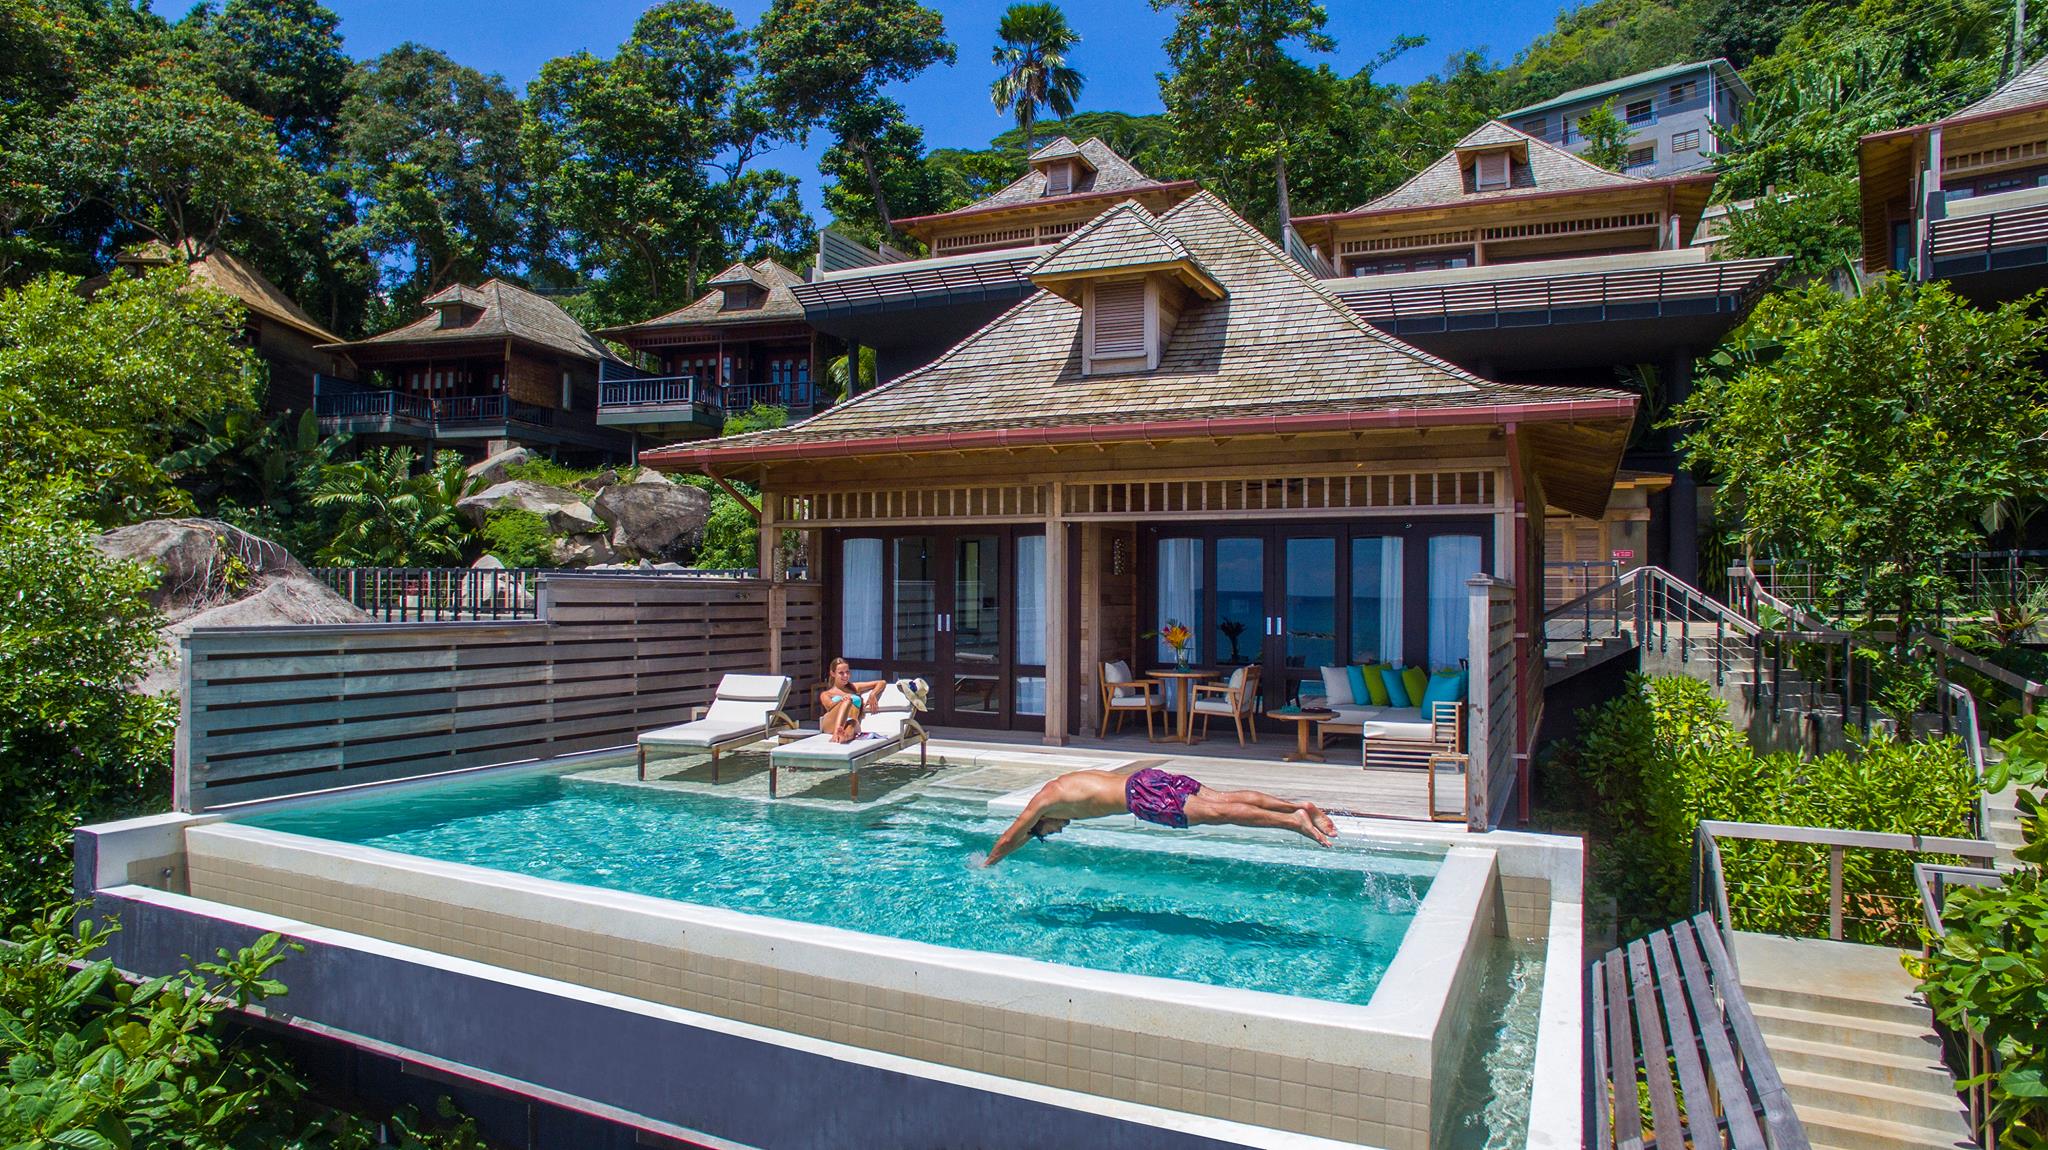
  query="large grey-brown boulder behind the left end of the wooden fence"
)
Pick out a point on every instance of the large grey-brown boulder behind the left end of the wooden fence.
point(220, 576)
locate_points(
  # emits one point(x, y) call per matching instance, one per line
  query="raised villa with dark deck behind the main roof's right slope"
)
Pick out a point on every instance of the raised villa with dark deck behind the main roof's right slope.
point(1523, 263)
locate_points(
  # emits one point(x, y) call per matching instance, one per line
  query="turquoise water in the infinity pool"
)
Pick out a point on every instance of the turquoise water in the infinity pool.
point(1277, 916)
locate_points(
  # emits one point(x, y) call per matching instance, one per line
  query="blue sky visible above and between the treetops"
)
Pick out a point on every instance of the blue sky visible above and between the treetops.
point(1119, 50)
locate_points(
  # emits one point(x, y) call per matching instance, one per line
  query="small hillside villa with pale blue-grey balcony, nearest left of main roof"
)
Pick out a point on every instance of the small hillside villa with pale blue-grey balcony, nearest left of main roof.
point(742, 345)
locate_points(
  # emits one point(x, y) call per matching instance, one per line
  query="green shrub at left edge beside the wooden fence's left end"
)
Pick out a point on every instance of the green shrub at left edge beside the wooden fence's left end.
point(77, 744)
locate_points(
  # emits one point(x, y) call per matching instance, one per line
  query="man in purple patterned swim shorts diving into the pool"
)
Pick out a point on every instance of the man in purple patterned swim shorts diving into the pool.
point(1154, 797)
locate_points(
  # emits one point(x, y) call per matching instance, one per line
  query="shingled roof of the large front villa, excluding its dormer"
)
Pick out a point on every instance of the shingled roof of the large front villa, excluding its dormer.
point(1279, 345)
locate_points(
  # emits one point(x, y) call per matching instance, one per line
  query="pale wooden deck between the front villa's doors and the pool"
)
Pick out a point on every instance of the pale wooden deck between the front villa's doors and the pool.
point(986, 764)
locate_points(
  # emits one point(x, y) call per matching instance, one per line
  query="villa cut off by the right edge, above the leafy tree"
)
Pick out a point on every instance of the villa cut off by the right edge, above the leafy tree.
point(1965, 200)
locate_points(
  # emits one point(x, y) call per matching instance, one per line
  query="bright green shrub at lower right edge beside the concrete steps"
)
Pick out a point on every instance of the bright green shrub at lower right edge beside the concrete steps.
point(1990, 971)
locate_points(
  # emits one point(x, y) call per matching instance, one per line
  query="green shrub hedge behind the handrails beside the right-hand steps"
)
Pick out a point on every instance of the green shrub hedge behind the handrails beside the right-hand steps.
point(1664, 758)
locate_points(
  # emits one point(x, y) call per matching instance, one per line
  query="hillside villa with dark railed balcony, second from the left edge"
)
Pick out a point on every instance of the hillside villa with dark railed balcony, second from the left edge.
point(484, 369)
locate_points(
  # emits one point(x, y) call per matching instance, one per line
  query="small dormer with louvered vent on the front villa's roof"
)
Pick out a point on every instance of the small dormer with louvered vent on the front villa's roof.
point(1132, 281)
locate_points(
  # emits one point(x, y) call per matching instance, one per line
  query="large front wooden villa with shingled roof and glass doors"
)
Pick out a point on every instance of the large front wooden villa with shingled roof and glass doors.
point(1183, 427)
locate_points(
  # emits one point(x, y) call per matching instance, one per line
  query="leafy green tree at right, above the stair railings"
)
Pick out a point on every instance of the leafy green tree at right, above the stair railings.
point(1871, 435)
